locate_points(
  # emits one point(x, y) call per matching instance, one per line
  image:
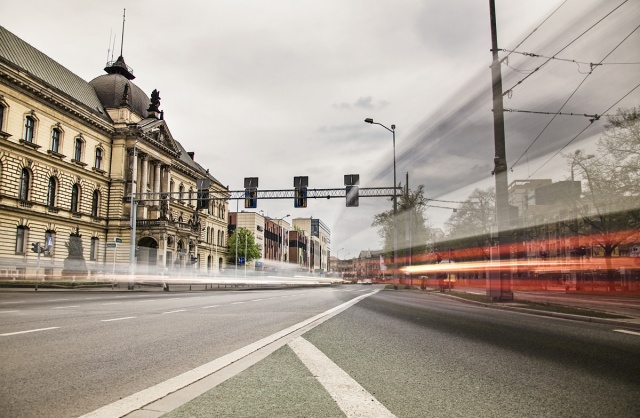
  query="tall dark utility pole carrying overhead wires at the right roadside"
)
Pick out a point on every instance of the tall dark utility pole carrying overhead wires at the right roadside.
point(501, 289)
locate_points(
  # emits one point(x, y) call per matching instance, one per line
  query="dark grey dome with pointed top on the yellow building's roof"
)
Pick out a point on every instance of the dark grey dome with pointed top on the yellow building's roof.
point(115, 89)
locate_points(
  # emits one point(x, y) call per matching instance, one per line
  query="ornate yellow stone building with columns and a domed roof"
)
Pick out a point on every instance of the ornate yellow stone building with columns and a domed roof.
point(72, 154)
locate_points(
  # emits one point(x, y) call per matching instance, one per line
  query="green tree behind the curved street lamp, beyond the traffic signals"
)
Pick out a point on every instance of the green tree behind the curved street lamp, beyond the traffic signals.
point(411, 224)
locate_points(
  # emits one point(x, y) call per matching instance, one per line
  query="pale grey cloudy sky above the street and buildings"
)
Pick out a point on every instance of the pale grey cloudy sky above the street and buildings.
point(277, 89)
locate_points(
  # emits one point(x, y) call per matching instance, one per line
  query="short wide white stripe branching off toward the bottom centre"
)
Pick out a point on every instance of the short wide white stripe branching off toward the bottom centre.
point(353, 399)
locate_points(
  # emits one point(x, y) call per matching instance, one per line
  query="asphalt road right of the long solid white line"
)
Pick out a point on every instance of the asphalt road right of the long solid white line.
point(424, 356)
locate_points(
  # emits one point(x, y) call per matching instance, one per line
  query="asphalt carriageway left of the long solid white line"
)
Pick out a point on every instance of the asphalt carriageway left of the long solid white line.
point(88, 349)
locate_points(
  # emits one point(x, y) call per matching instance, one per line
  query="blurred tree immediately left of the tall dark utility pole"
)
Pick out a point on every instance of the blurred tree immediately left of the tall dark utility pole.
point(470, 225)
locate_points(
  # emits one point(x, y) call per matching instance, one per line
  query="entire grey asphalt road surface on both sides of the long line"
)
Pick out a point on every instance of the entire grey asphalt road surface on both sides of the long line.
point(408, 354)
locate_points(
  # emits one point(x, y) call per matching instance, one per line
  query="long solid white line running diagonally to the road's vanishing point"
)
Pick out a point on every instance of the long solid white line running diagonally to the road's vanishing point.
point(138, 400)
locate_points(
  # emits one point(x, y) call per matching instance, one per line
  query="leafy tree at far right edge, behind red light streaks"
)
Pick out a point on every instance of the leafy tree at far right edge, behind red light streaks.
point(610, 206)
